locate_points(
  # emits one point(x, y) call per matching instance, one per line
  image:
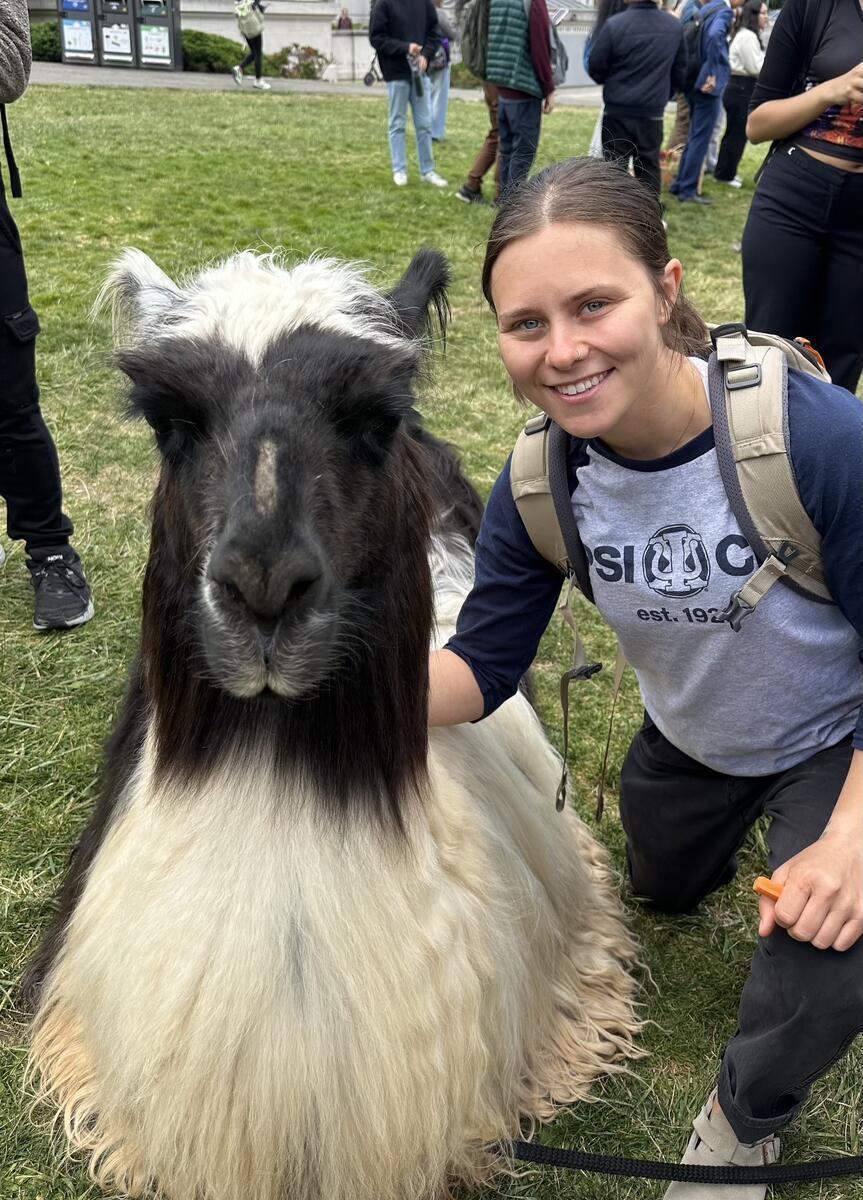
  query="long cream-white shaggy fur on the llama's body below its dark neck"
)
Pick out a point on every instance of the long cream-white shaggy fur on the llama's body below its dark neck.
point(247, 999)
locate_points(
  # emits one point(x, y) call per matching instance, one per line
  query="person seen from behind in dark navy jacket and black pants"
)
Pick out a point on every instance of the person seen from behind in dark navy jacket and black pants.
point(640, 58)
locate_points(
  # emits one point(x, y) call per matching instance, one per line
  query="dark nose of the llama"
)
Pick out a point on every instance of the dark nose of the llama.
point(268, 591)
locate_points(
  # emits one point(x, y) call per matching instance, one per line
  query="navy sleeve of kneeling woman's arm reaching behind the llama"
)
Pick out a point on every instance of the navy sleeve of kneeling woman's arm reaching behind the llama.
point(512, 603)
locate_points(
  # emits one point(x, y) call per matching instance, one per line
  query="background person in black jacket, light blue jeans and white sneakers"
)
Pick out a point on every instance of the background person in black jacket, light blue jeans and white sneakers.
point(406, 35)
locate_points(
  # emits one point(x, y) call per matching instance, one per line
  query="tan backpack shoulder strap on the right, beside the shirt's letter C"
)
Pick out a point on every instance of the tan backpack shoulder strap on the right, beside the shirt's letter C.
point(748, 385)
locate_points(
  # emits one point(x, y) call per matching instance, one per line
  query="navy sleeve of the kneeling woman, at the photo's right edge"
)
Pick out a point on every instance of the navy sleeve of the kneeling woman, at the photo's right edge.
point(826, 435)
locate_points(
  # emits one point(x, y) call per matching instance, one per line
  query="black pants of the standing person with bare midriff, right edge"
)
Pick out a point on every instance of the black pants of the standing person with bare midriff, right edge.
point(804, 259)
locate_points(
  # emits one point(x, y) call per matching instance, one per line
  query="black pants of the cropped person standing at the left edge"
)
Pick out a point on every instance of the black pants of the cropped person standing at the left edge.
point(29, 467)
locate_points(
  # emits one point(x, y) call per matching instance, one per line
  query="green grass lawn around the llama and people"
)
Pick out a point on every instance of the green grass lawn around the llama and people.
point(189, 178)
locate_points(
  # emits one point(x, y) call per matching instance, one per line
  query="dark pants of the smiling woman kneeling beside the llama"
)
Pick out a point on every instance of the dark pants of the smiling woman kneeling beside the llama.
point(801, 1007)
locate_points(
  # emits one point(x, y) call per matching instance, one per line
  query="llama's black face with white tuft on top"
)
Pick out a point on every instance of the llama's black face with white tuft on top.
point(278, 449)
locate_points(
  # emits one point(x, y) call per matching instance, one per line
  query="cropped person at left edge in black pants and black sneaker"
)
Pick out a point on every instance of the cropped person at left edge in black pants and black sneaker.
point(29, 467)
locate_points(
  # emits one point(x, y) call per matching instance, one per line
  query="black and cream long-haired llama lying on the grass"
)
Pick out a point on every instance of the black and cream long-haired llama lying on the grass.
point(307, 949)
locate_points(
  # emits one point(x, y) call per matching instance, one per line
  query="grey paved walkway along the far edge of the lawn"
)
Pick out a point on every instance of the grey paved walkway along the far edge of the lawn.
point(195, 81)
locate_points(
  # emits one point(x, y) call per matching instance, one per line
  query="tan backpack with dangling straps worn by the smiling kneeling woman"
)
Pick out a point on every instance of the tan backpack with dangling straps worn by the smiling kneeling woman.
point(748, 394)
